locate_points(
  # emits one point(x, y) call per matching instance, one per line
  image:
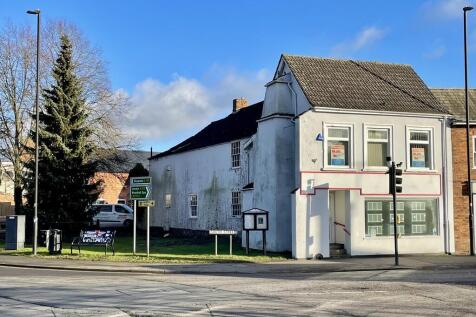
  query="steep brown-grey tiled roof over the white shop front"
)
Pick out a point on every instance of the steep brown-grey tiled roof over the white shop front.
point(357, 85)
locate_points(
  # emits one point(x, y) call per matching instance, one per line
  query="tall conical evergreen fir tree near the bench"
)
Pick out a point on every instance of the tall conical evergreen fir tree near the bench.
point(65, 165)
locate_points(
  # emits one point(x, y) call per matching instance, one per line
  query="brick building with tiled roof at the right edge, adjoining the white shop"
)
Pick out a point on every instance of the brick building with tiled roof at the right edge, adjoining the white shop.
point(453, 100)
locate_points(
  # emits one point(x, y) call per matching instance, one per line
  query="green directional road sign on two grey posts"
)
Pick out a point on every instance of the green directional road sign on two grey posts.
point(140, 191)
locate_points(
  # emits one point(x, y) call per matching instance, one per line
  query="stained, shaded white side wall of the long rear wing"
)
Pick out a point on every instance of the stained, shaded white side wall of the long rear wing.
point(206, 172)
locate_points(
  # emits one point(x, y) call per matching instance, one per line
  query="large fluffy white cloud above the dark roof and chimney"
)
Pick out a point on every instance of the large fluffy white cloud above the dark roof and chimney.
point(161, 110)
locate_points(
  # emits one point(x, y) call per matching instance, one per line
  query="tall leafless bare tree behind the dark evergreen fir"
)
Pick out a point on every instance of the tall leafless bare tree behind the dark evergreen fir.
point(17, 80)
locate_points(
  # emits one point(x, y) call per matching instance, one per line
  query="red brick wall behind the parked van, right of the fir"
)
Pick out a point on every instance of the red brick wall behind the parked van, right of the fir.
point(115, 186)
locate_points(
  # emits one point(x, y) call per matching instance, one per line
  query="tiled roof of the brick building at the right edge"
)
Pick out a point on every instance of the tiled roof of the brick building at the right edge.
point(453, 100)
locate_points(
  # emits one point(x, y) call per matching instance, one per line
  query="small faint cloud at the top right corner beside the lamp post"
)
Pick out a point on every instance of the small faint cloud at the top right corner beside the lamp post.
point(444, 9)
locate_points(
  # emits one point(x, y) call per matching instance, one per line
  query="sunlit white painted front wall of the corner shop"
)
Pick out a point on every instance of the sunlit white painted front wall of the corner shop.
point(360, 185)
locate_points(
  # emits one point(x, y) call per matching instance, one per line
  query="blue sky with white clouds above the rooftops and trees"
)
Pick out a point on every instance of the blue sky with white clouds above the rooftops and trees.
point(182, 62)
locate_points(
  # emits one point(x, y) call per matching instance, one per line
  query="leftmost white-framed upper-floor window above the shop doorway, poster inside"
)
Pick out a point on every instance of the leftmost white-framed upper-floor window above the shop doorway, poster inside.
point(338, 146)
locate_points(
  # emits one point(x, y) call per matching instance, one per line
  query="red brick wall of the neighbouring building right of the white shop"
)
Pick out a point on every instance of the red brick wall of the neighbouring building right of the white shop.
point(460, 196)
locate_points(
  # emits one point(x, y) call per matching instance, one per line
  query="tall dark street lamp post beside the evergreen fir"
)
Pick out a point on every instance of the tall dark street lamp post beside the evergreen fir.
point(35, 217)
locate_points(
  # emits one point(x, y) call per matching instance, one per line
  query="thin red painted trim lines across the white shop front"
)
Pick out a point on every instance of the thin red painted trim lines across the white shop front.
point(304, 193)
